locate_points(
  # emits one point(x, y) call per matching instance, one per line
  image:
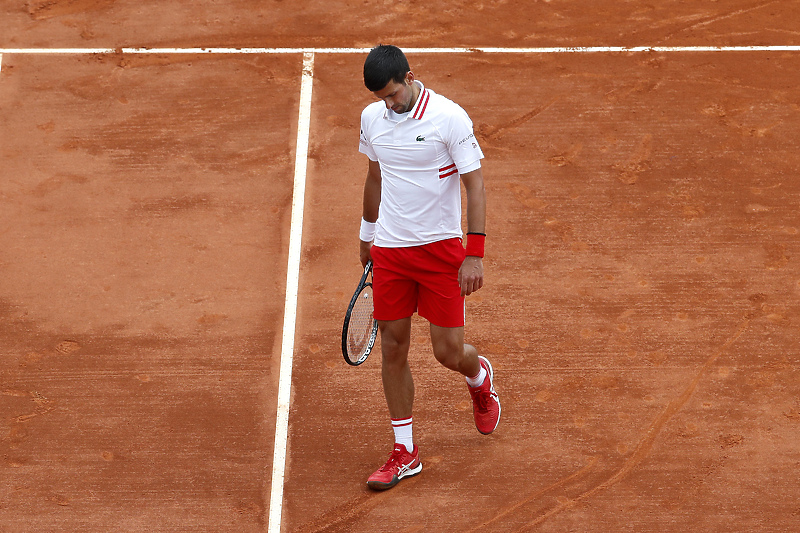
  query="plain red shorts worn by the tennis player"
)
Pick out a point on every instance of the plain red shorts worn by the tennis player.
point(419, 278)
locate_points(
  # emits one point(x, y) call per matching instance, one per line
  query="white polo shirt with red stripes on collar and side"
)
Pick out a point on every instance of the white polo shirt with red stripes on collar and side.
point(421, 154)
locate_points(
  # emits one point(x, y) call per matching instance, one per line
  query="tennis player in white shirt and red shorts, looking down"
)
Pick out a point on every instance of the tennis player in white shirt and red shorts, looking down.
point(421, 147)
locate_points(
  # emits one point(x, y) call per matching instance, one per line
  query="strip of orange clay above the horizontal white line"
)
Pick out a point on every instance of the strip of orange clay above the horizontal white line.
point(410, 23)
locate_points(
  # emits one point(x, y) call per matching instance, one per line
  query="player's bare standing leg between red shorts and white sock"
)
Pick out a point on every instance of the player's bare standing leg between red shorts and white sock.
point(398, 385)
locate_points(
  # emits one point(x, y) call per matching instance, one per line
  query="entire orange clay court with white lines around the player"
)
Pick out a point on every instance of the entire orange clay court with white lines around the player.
point(642, 278)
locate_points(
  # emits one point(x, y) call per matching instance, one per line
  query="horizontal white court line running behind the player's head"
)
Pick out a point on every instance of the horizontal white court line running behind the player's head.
point(486, 50)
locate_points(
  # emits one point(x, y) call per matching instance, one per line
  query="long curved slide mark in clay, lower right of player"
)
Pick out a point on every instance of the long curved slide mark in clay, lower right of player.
point(646, 443)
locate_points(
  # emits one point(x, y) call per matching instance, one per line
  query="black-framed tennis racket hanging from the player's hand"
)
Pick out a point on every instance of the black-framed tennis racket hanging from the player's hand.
point(360, 329)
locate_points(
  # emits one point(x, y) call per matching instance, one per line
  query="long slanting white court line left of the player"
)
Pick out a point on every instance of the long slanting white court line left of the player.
point(290, 306)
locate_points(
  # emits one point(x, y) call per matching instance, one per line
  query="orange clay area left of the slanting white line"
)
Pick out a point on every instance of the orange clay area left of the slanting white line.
point(145, 204)
